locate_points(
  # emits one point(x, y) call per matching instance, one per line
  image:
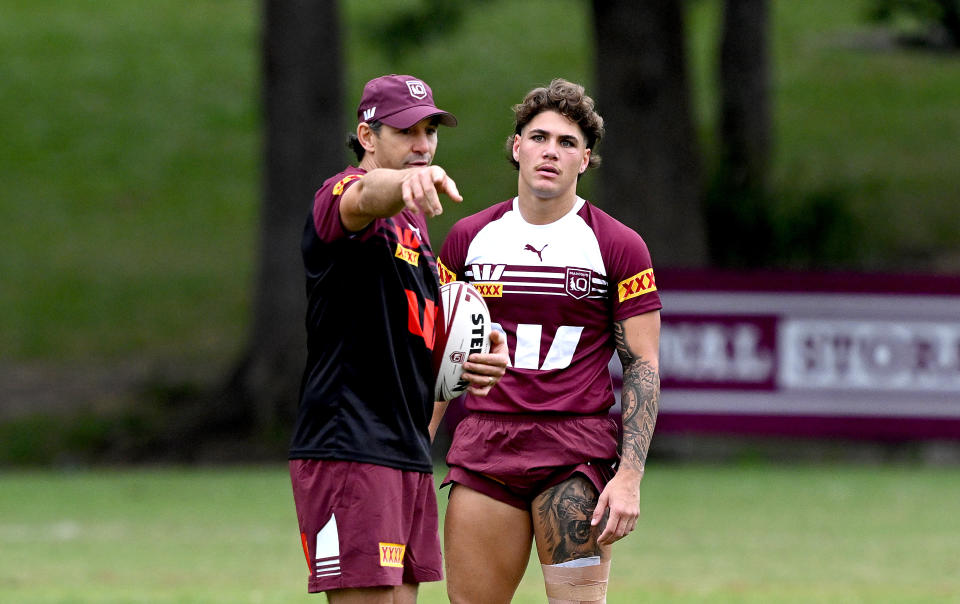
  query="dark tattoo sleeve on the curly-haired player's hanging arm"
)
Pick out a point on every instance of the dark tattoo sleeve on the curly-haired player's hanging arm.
point(639, 402)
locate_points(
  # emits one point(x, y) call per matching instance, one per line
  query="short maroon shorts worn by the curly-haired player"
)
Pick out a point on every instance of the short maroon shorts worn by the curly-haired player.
point(514, 458)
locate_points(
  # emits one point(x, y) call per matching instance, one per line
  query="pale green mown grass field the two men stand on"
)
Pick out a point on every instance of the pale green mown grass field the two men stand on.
point(737, 534)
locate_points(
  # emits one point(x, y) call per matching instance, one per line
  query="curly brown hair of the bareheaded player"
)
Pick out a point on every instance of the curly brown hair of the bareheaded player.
point(570, 101)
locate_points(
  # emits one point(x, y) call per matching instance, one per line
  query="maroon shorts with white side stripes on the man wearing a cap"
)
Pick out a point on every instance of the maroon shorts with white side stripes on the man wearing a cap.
point(364, 525)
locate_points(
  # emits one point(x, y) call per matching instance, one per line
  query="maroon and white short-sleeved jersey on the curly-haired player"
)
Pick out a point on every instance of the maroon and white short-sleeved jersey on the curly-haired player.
point(555, 290)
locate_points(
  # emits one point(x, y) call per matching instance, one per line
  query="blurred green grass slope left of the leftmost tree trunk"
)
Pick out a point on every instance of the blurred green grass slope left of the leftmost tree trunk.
point(129, 170)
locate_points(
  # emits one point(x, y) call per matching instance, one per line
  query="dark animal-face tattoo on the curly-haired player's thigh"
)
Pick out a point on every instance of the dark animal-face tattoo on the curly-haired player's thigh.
point(563, 511)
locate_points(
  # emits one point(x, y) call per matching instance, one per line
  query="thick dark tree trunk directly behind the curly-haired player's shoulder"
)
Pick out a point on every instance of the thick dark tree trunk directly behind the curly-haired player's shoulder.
point(651, 178)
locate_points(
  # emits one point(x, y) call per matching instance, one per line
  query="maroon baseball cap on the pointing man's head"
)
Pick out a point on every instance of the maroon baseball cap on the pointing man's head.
point(399, 101)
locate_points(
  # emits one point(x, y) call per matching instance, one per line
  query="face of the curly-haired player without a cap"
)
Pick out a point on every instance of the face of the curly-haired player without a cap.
point(552, 153)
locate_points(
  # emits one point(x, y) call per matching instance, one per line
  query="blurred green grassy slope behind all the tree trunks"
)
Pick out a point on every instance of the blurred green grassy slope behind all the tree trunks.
point(131, 138)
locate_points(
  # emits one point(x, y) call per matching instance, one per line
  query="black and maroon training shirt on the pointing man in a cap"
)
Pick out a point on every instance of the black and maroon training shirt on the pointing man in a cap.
point(367, 390)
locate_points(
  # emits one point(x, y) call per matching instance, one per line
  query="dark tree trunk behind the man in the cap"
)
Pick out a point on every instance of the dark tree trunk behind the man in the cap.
point(304, 133)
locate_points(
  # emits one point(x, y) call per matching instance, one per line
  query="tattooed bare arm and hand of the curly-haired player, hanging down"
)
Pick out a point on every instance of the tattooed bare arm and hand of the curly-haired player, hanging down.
point(638, 343)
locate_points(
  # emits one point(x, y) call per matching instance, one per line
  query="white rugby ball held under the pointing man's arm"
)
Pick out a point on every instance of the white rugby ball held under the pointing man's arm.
point(464, 328)
